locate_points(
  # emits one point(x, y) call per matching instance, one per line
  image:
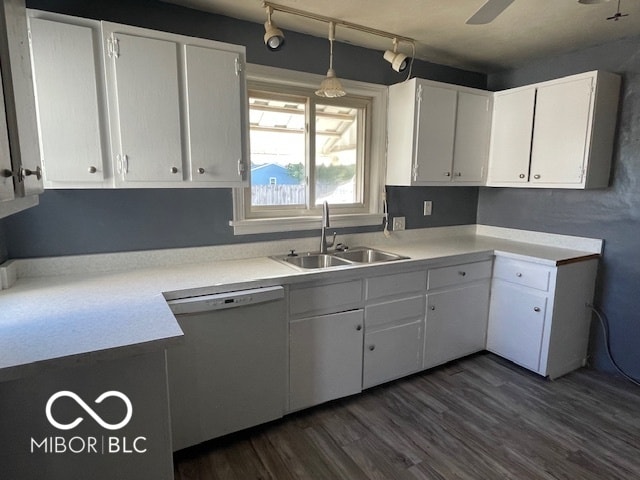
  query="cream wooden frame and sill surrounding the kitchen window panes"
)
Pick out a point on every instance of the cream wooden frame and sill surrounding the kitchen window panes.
point(371, 212)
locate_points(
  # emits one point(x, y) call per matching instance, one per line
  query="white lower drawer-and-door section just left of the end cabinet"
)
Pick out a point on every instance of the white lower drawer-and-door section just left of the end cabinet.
point(457, 310)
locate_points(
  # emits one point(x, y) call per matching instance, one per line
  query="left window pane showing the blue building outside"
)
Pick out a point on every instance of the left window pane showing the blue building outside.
point(278, 160)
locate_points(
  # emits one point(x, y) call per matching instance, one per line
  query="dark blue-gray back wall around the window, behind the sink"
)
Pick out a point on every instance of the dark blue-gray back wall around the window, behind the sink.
point(89, 221)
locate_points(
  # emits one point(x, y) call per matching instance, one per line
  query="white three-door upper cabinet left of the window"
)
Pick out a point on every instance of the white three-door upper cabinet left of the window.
point(145, 109)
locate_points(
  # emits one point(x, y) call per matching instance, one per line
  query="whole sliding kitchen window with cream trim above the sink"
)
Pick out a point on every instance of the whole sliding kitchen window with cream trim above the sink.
point(306, 150)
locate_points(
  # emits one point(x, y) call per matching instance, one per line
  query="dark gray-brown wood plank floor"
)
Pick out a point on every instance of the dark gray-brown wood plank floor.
point(477, 418)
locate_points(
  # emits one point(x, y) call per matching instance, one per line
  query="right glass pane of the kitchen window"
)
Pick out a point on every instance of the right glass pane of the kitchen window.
point(338, 155)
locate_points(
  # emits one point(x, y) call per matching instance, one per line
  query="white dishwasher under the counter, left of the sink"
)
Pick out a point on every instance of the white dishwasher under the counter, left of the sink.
point(230, 371)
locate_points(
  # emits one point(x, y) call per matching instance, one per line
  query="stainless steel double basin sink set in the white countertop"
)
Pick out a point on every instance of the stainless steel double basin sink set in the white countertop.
point(350, 257)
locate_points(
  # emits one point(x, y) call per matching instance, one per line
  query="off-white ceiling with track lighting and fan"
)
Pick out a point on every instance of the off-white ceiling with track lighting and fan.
point(526, 30)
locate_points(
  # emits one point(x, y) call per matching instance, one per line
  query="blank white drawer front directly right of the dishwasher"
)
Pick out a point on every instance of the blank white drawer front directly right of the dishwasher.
point(321, 299)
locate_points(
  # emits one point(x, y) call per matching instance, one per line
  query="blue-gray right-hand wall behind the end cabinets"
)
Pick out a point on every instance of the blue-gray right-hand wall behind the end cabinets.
point(612, 213)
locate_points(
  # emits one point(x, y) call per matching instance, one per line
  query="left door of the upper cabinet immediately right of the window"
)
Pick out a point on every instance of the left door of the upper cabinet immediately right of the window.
point(435, 131)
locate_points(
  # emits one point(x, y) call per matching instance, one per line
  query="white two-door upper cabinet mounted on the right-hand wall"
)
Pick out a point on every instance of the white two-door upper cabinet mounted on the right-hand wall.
point(556, 134)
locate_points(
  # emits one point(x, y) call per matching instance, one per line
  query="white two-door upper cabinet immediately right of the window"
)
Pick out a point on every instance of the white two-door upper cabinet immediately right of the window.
point(438, 134)
